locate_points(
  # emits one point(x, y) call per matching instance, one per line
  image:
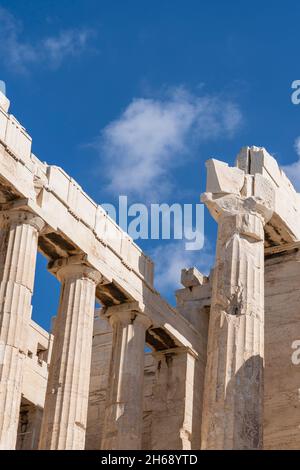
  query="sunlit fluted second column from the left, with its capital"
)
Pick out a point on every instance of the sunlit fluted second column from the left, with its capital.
point(65, 413)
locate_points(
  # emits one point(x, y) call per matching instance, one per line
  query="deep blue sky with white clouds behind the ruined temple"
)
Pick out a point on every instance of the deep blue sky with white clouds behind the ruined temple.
point(131, 97)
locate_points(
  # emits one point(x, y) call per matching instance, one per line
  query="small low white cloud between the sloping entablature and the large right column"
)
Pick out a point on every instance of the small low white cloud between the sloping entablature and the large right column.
point(170, 258)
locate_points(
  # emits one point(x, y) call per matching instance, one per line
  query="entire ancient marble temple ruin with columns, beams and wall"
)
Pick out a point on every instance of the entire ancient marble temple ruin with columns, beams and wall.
point(219, 374)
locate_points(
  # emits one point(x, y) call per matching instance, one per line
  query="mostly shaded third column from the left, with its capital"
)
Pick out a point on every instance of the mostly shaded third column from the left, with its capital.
point(124, 404)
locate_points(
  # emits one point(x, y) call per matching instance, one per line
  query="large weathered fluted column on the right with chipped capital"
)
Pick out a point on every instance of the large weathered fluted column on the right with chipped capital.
point(233, 392)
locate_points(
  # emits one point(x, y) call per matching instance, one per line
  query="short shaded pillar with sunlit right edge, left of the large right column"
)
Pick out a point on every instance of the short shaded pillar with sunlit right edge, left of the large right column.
point(176, 393)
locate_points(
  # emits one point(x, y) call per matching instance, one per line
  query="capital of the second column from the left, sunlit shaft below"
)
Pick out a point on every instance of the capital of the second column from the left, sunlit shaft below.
point(74, 267)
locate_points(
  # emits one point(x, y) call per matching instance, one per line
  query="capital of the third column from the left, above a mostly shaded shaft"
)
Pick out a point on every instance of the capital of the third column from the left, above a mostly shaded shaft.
point(127, 313)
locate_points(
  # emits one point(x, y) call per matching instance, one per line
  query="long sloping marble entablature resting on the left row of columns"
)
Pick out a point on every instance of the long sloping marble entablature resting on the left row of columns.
point(77, 225)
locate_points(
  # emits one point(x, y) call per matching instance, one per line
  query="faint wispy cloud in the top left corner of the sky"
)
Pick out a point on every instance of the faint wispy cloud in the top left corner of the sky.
point(51, 51)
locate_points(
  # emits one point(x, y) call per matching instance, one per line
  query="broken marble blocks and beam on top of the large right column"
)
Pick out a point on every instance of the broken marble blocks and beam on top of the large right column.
point(257, 174)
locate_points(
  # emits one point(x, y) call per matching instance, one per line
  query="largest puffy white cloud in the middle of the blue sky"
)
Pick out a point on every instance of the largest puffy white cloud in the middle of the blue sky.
point(141, 147)
